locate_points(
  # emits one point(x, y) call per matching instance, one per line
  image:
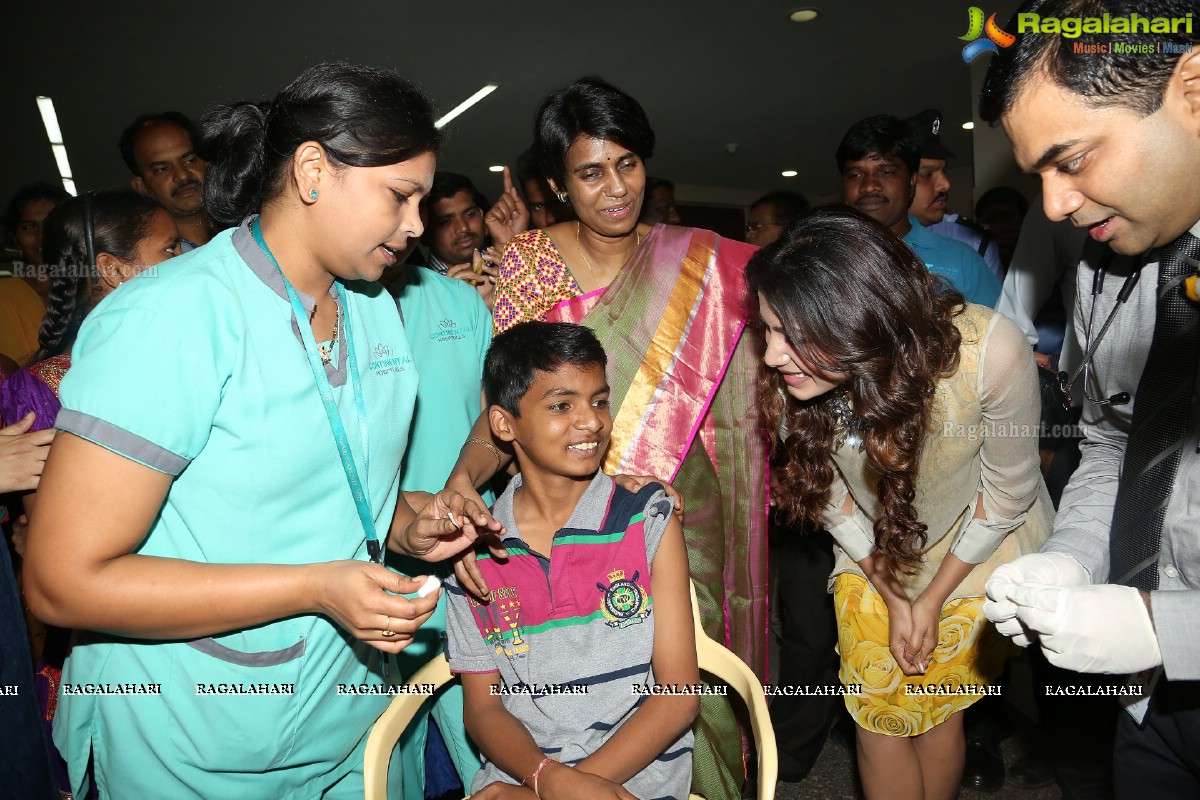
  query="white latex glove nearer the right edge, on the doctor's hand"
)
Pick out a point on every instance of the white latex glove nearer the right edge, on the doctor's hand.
point(1103, 629)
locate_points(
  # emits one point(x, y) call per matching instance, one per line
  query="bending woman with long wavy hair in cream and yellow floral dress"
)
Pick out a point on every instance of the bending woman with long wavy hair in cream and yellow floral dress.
point(908, 420)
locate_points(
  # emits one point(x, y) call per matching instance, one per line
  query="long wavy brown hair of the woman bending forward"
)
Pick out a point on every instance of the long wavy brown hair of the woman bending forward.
point(855, 300)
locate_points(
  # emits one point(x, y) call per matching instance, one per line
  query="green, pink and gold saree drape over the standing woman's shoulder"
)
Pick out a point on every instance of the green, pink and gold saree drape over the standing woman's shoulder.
point(683, 388)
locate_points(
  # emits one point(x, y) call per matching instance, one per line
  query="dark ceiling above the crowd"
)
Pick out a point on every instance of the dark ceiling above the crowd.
point(709, 73)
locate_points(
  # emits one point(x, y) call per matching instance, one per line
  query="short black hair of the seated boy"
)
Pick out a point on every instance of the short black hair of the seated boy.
point(533, 347)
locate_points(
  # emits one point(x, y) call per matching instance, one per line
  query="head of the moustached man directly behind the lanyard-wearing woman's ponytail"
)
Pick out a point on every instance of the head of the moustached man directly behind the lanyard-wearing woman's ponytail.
point(161, 152)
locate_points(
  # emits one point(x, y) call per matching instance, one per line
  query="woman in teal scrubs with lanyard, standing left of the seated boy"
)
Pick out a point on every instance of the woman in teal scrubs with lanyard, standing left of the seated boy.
point(229, 468)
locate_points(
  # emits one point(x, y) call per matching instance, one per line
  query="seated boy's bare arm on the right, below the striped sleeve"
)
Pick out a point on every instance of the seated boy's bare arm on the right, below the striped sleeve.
point(662, 719)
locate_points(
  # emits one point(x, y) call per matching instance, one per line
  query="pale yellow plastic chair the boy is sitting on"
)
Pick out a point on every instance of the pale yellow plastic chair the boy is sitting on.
point(712, 658)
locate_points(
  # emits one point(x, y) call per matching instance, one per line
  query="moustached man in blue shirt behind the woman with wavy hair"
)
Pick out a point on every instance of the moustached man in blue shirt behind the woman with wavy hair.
point(879, 159)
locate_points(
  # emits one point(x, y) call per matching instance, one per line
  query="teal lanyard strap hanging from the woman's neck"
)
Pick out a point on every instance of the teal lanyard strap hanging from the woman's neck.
point(358, 488)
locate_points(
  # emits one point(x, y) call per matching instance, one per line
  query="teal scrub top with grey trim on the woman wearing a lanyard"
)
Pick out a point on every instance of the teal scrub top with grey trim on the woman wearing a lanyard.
point(197, 370)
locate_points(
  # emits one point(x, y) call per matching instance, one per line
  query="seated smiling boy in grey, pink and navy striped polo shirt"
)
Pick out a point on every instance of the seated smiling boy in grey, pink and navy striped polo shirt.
point(577, 670)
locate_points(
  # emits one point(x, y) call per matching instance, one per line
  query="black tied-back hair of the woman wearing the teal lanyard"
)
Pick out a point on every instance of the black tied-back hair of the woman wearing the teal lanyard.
point(361, 116)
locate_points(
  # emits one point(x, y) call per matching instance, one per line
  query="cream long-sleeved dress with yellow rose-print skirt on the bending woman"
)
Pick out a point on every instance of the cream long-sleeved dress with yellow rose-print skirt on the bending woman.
point(982, 441)
